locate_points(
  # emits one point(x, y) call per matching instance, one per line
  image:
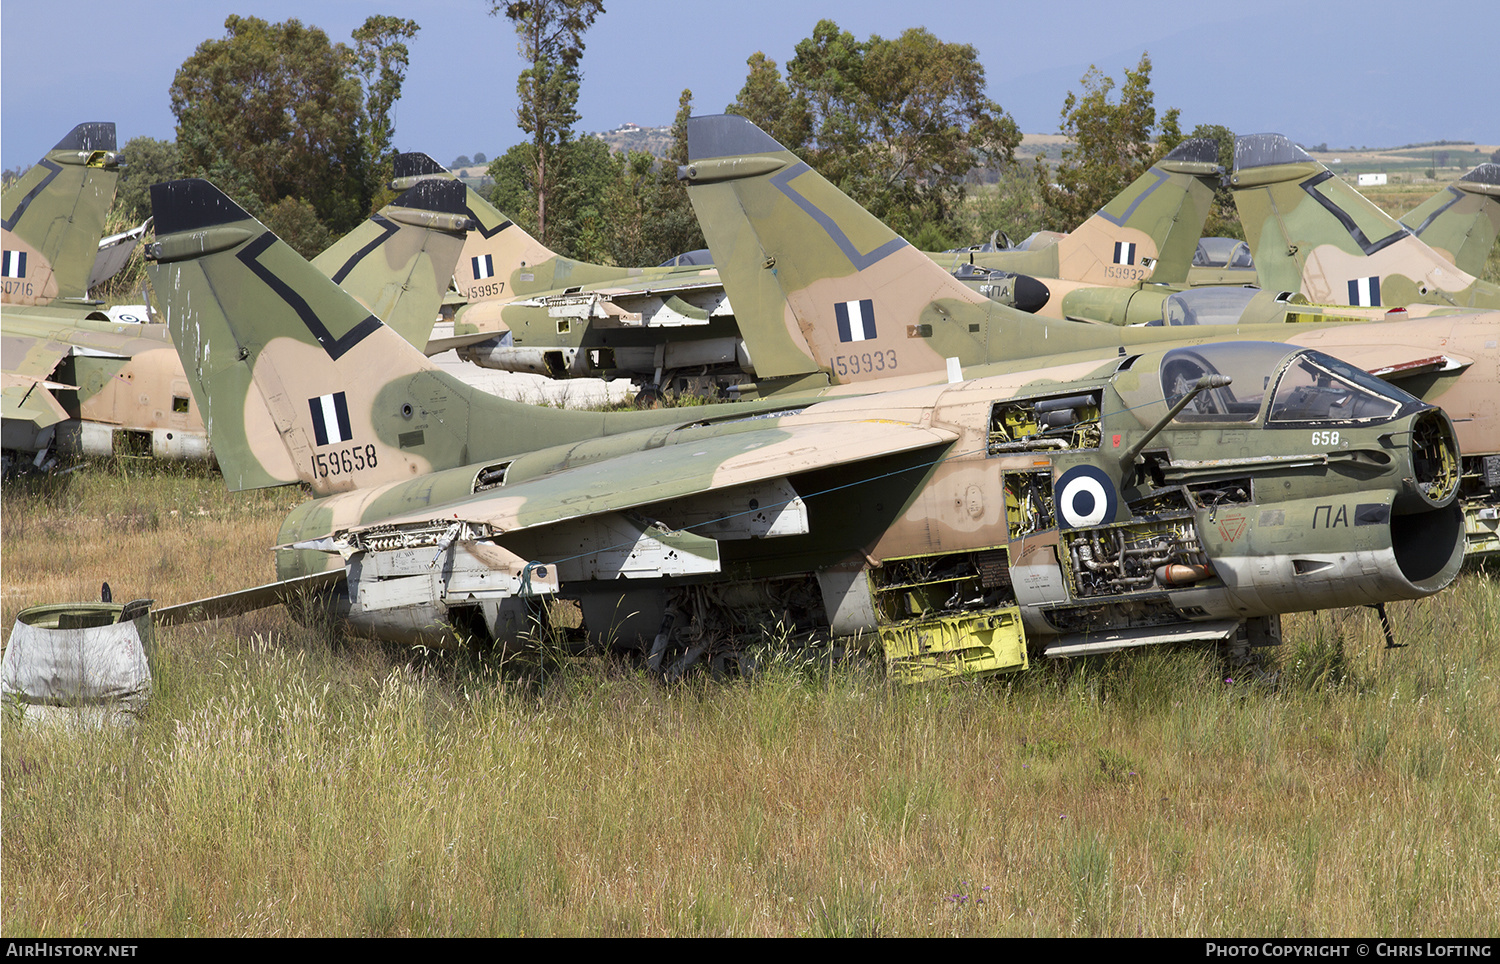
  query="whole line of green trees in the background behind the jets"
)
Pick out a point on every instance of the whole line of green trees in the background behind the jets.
point(299, 130)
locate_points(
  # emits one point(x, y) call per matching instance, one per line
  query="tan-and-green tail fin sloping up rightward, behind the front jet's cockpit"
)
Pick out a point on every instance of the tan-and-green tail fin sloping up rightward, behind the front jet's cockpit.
point(1150, 230)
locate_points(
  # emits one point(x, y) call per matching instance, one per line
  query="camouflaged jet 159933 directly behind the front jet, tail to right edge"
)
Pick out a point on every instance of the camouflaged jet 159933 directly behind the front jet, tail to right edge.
point(841, 299)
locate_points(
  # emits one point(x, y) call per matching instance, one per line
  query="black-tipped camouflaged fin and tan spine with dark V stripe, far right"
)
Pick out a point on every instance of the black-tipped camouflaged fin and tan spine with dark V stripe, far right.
point(1312, 233)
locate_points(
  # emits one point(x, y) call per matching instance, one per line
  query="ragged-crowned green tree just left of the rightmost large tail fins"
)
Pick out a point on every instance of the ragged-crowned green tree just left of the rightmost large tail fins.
point(1112, 143)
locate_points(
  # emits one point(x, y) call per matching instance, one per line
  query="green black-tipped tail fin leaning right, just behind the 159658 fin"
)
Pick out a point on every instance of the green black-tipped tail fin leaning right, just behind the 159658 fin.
point(401, 260)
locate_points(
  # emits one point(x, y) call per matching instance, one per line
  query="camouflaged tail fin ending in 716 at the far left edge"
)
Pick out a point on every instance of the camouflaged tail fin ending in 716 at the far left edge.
point(53, 218)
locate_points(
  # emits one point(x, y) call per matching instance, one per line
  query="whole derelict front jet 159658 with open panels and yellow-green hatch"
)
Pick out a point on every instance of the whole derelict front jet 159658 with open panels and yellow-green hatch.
point(1175, 495)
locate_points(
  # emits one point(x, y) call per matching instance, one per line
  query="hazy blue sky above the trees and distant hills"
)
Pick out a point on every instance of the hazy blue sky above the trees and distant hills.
point(1313, 71)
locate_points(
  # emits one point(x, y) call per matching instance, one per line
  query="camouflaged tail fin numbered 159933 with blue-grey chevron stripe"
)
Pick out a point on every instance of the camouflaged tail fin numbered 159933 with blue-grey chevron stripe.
point(820, 286)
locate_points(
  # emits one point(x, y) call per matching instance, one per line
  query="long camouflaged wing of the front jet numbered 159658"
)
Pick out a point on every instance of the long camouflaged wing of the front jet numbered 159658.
point(680, 472)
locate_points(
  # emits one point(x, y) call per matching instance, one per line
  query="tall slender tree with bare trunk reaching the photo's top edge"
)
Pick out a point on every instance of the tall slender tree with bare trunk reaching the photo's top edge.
point(551, 40)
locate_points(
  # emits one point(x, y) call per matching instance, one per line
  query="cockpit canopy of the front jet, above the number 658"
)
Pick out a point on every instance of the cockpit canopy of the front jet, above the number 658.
point(1306, 388)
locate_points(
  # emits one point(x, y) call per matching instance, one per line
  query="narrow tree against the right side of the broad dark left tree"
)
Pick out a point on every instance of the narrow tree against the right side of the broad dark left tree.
point(382, 58)
